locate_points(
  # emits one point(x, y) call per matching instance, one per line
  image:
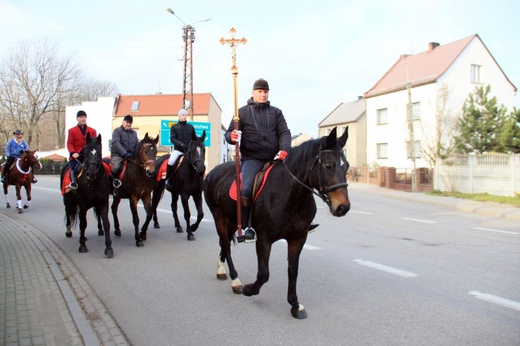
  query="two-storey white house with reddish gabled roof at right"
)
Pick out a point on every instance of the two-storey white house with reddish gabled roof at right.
point(440, 78)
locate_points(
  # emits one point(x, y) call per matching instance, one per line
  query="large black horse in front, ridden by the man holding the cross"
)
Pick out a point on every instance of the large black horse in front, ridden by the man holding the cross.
point(283, 210)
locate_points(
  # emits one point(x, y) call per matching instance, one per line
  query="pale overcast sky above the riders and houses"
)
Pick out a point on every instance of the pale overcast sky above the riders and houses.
point(314, 54)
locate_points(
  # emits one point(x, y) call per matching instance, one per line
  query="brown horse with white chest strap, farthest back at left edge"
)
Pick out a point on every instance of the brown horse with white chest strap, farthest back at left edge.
point(20, 174)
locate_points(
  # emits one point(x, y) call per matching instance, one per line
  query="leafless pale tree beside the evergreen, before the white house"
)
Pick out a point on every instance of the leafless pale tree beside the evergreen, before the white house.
point(439, 135)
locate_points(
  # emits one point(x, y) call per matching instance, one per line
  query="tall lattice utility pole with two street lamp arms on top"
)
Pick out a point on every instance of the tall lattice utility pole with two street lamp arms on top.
point(188, 36)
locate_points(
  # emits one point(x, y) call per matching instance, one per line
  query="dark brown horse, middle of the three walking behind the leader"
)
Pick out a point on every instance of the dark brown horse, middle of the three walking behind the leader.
point(138, 183)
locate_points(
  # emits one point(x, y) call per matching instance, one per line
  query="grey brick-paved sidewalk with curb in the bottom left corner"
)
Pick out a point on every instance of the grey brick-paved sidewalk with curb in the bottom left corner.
point(44, 300)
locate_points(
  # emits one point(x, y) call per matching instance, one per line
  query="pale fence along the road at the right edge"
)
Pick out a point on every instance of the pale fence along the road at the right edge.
point(496, 174)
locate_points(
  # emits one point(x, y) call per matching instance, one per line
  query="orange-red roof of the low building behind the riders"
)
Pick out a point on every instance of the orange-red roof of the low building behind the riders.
point(160, 105)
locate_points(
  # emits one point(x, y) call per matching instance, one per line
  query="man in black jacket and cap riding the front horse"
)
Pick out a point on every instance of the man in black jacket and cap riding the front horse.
point(263, 135)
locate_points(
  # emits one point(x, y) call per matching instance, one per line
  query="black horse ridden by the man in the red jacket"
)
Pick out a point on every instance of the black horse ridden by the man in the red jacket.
point(93, 192)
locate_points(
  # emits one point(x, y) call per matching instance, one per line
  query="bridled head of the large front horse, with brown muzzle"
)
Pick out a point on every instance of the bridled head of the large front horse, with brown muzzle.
point(331, 166)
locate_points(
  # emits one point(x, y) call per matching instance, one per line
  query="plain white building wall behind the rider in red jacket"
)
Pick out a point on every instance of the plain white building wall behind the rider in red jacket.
point(99, 117)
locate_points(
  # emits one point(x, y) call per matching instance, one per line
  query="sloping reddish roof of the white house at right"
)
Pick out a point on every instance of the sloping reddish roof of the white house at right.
point(420, 69)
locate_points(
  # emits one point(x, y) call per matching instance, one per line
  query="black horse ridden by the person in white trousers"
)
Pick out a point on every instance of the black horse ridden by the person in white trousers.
point(187, 182)
